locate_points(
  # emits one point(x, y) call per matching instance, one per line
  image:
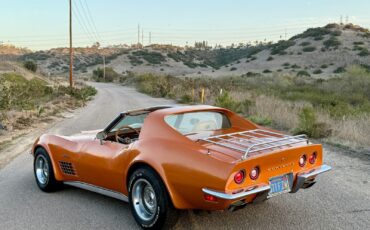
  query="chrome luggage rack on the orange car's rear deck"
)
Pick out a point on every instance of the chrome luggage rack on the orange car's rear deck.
point(254, 140)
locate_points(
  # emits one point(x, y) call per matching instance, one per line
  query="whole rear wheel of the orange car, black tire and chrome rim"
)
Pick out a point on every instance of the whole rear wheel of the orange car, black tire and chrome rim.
point(149, 201)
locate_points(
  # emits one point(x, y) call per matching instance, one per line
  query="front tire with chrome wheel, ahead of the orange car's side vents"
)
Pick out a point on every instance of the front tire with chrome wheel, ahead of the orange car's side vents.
point(44, 172)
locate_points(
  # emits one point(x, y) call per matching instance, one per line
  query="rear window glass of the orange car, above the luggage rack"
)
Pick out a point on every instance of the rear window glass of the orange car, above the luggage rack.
point(195, 122)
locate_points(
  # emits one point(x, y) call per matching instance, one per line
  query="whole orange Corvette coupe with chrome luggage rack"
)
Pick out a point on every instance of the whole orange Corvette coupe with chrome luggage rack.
point(162, 159)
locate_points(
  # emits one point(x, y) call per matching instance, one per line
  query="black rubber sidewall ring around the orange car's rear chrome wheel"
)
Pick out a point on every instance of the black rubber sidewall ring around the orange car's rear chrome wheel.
point(161, 195)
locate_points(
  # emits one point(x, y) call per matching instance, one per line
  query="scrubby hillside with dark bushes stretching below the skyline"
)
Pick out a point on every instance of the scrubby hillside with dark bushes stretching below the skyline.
point(318, 52)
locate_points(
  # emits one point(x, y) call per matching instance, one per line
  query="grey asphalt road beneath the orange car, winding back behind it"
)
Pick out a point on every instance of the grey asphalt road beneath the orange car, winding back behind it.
point(339, 200)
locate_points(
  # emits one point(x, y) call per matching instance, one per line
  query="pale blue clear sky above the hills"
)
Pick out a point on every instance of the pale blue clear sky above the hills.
point(43, 24)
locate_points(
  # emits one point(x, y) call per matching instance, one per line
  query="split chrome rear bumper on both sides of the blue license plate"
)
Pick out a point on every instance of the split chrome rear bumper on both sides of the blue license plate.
point(304, 180)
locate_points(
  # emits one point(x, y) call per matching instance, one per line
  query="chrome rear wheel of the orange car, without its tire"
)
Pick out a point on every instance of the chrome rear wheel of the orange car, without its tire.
point(144, 199)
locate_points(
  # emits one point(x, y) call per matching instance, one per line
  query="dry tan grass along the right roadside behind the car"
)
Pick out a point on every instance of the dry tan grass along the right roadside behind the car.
point(351, 131)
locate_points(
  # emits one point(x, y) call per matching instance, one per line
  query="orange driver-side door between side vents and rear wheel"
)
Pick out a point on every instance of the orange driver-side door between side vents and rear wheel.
point(102, 163)
